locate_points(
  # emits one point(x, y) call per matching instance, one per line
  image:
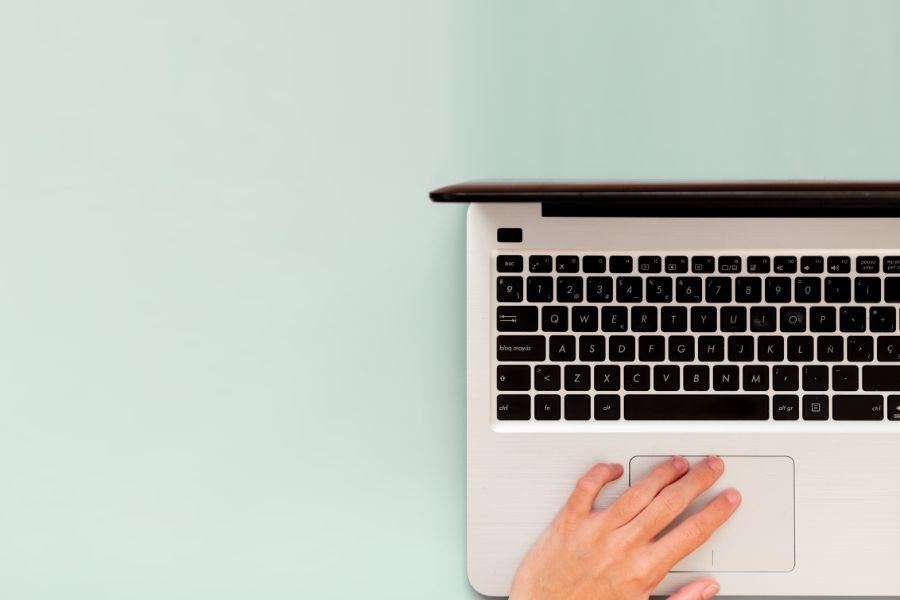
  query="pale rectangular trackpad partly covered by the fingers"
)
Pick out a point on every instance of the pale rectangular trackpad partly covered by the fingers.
point(760, 535)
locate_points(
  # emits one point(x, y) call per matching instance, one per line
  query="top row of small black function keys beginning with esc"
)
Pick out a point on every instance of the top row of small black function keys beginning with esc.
point(545, 263)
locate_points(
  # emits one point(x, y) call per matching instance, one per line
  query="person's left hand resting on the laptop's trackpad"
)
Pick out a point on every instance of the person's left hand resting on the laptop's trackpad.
point(617, 553)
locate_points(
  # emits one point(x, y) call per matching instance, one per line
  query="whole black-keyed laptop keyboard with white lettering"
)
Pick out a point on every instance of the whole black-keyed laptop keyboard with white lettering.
point(613, 337)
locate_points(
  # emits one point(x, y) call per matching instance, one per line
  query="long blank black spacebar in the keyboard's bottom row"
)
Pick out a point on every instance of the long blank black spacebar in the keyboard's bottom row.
point(696, 407)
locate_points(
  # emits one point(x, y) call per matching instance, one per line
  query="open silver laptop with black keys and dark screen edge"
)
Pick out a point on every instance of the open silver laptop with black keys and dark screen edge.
point(628, 322)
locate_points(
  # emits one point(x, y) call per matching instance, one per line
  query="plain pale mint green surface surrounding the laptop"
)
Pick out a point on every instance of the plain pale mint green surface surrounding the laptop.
point(232, 326)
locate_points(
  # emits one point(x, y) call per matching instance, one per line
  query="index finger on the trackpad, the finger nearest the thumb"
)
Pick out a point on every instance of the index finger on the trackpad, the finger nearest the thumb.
point(695, 530)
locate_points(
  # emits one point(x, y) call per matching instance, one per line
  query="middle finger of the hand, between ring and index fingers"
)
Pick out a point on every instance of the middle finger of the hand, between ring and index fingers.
point(672, 501)
